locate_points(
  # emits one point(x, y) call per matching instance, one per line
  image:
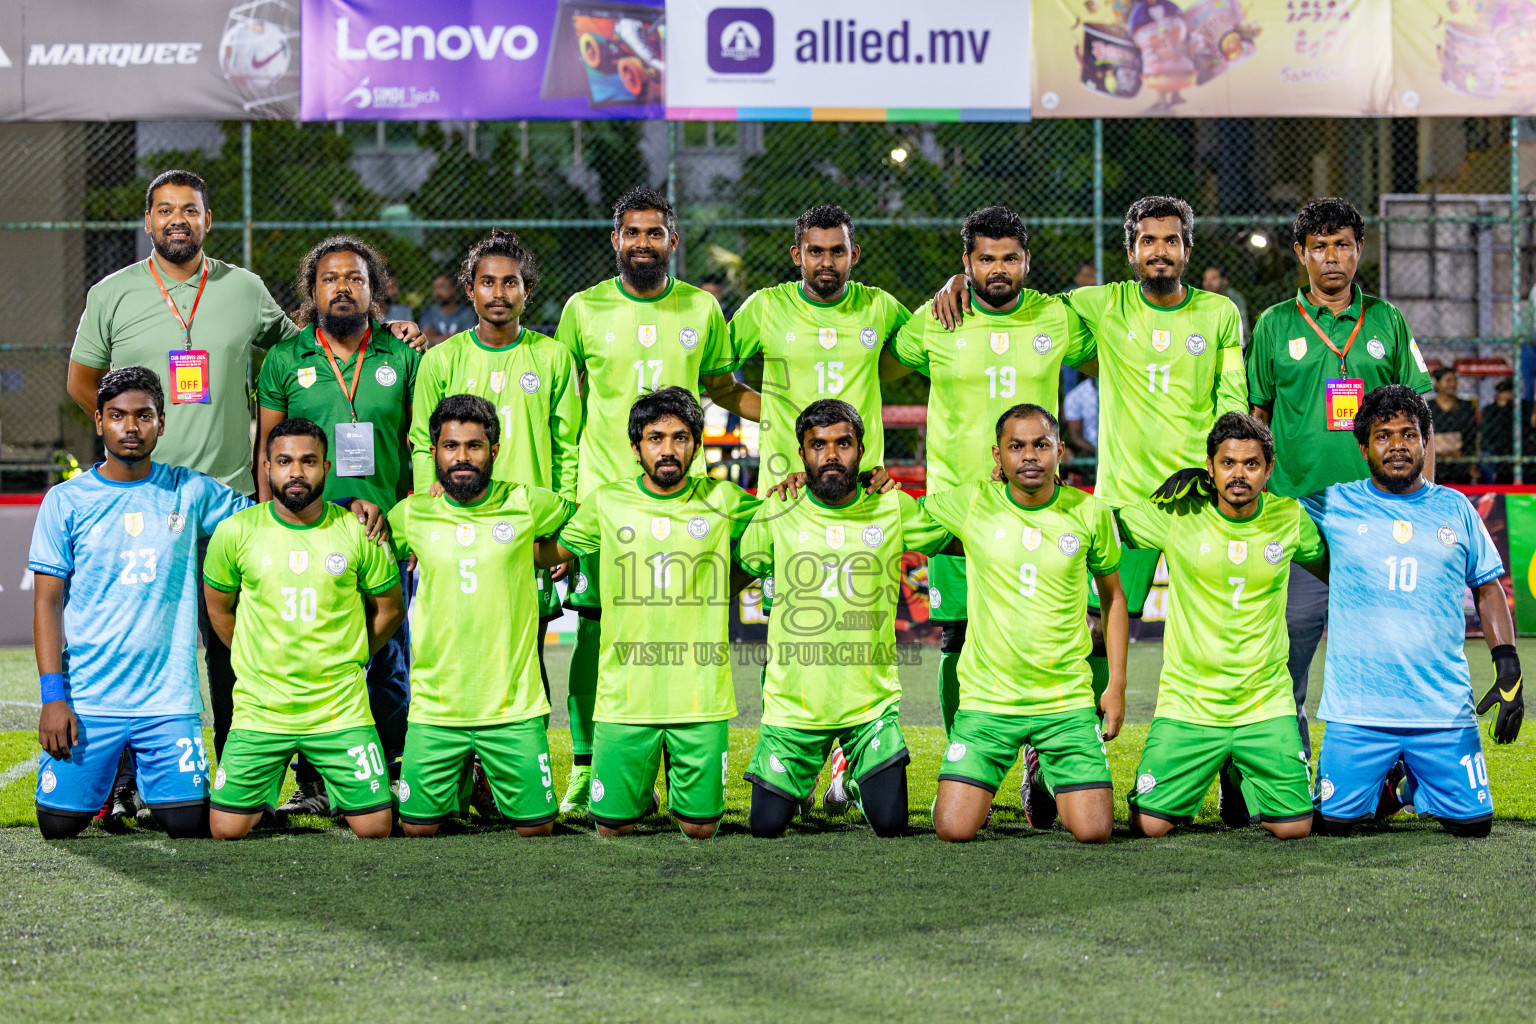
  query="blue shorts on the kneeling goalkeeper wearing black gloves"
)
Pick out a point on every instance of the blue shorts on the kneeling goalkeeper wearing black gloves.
point(1448, 778)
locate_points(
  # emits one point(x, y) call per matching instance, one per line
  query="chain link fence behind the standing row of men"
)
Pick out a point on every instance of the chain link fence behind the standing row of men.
point(1448, 205)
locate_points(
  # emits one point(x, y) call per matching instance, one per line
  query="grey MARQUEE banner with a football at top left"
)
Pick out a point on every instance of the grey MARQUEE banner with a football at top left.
point(87, 61)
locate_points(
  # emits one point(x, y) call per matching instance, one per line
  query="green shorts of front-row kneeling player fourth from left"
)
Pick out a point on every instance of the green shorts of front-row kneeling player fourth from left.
point(626, 758)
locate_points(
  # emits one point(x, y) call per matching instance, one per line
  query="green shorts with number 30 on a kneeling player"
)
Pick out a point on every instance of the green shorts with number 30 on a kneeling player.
point(251, 773)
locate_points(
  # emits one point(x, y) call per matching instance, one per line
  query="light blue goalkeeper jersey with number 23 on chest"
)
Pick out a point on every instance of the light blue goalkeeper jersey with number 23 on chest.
point(130, 557)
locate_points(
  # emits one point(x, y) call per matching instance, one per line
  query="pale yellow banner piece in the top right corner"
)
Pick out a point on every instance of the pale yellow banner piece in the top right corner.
point(1465, 59)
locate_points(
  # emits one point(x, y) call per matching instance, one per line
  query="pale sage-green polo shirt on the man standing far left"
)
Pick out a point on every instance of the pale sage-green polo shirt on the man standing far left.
point(127, 323)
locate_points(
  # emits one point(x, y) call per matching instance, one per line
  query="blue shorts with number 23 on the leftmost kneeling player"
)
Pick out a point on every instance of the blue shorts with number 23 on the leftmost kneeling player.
point(173, 765)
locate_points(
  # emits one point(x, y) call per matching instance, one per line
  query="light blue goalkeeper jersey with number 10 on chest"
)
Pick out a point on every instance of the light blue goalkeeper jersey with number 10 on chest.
point(1400, 570)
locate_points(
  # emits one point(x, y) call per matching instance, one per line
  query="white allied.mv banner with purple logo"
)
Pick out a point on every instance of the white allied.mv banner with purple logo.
point(803, 61)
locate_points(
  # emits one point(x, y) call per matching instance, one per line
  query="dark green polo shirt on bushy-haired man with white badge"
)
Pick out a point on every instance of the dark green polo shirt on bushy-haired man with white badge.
point(297, 380)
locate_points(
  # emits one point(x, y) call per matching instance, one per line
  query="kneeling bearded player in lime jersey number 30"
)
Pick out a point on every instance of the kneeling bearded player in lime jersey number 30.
point(303, 600)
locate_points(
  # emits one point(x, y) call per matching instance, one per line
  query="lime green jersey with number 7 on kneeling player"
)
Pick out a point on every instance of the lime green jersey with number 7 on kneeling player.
point(1225, 655)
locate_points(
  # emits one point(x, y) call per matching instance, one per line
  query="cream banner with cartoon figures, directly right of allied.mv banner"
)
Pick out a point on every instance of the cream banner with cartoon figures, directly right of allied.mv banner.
point(1213, 58)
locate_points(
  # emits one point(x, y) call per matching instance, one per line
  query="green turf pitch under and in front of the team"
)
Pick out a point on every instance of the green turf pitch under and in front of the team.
point(308, 923)
